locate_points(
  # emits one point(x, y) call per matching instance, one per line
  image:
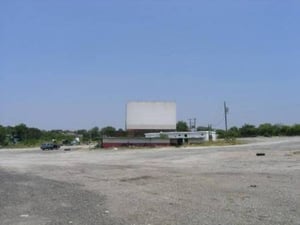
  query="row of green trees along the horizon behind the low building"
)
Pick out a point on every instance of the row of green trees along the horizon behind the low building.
point(21, 134)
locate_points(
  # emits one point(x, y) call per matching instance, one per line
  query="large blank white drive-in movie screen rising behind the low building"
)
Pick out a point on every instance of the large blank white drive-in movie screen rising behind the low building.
point(151, 115)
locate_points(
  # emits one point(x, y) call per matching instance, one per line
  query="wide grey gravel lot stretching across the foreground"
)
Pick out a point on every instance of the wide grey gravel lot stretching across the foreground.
point(204, 185)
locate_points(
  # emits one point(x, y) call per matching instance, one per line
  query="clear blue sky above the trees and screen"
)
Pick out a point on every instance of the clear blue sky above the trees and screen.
point(75, 64)
